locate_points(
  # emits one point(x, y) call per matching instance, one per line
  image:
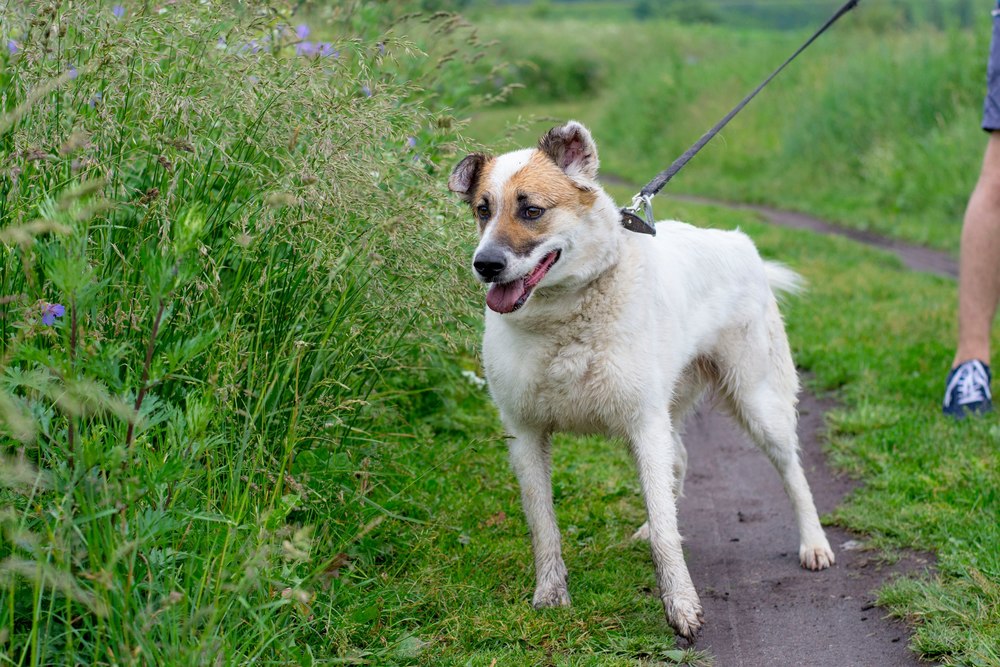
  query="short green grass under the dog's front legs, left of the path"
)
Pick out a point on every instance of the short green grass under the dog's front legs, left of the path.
point(461, 589)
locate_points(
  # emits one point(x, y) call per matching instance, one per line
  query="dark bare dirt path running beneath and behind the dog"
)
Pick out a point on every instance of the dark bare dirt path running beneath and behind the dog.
point(761, 608)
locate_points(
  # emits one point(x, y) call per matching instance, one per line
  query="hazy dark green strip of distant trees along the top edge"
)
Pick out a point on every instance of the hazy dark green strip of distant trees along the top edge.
point(777, 14)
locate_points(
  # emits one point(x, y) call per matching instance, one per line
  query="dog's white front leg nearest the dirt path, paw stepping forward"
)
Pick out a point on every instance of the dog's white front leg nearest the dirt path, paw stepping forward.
point(652, 447)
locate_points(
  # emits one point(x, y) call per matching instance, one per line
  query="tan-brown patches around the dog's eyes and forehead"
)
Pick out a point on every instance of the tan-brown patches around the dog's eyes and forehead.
point(540, 184)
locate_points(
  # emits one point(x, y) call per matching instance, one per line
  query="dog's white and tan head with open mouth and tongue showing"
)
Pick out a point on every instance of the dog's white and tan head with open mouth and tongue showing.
point(540, 211)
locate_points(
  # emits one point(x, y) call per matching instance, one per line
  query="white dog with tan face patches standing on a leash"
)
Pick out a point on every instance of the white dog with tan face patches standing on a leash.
point(592, 328)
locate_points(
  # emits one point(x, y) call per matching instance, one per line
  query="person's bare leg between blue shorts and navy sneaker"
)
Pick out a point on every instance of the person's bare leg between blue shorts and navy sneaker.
point(979, 261)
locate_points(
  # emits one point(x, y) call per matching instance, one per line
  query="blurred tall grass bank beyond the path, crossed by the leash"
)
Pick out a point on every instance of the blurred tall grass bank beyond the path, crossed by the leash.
point(875, 131)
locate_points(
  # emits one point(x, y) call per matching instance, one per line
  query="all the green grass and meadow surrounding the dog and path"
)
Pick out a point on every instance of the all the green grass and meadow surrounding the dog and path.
point(238, 424)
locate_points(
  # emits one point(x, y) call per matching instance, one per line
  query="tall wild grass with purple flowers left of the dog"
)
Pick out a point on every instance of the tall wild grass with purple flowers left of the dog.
point(219, 285)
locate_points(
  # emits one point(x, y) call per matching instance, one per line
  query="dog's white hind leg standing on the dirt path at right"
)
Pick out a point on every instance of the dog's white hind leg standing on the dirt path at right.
point(760, 385)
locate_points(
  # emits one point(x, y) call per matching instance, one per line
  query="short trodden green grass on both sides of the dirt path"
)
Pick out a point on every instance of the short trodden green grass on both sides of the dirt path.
point(463, 585)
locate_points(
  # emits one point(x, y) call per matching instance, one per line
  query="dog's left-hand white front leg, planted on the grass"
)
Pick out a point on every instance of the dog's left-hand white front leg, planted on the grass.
point(531, 458)
